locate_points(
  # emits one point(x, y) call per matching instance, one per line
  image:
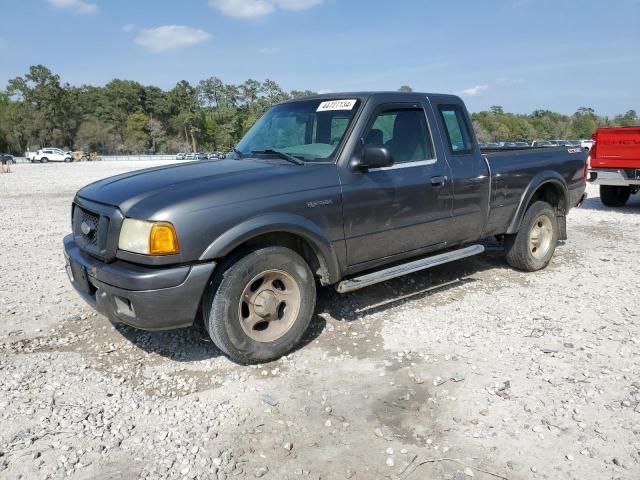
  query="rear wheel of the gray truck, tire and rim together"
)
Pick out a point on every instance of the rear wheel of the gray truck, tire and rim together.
point(533, 246)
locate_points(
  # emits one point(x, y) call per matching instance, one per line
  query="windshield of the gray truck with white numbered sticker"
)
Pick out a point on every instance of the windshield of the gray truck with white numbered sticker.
point(310, 130)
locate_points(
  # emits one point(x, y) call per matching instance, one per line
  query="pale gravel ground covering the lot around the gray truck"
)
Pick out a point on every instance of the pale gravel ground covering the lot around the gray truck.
point(467, 370)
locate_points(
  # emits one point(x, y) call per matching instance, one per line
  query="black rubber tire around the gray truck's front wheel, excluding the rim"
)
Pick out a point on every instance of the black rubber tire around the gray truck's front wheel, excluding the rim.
point(223, 308)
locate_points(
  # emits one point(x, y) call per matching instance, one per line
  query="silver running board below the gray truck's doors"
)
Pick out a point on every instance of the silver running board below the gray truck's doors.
point(399, 270)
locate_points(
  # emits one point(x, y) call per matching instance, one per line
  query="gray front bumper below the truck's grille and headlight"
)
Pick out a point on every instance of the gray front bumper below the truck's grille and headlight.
point(149, 298)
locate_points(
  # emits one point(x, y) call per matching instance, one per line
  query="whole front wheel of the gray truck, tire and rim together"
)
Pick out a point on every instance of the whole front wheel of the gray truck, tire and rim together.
point(245, 304)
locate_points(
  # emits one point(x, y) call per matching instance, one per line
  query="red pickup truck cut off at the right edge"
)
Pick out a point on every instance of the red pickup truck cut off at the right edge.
point(615, 164)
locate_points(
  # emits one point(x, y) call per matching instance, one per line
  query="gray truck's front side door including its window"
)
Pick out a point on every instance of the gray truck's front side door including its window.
point(405, 208)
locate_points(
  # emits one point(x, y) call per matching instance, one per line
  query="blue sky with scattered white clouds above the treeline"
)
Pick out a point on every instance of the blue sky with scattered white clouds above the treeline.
point(521, 54)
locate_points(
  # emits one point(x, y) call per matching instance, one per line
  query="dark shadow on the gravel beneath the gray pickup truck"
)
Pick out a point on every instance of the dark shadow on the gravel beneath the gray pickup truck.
point(193, 344)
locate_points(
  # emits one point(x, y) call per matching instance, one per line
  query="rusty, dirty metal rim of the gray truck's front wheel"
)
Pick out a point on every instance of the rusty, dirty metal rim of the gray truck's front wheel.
point(269, 305)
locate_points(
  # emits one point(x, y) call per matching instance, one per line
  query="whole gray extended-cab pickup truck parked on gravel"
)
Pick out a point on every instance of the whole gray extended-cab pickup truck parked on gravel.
point(345, 190)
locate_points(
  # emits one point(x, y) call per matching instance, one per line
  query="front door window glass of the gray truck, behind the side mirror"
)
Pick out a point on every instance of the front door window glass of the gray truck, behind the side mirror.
point(404, 132)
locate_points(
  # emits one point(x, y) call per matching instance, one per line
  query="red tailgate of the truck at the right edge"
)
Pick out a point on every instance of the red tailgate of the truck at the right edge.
point(616, 148)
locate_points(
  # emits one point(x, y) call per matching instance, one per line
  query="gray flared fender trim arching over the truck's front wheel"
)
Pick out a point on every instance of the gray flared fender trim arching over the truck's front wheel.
point(273, 223)
